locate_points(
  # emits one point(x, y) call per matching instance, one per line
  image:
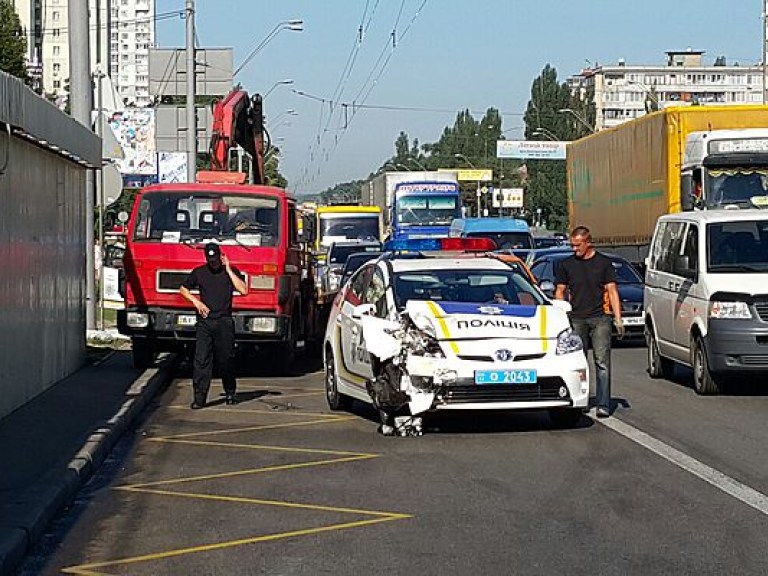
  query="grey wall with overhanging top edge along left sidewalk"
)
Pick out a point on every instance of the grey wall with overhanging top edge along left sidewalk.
point(42, 243)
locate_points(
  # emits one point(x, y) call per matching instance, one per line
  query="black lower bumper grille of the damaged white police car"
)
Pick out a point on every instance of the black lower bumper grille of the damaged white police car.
point(544, 389)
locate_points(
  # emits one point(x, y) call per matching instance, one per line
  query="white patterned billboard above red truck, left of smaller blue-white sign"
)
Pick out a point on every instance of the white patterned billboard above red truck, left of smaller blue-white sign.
point(134, 129)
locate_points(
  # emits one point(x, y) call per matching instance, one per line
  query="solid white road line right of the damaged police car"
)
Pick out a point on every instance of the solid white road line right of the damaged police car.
point(749, 496)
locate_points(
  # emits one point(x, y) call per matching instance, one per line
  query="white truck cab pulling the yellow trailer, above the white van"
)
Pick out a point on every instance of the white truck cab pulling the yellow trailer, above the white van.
point(725, 168)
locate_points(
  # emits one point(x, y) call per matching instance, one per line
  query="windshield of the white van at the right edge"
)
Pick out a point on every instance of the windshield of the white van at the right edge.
point(736, 247)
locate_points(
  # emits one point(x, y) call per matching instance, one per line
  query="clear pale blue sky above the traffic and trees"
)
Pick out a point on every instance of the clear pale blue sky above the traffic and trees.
point(448, 55)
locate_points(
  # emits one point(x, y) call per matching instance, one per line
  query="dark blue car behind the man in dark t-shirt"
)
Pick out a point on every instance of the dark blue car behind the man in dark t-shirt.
point(629, 284)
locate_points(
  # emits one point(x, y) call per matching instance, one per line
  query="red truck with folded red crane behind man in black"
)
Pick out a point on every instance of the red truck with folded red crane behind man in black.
point(257, 228)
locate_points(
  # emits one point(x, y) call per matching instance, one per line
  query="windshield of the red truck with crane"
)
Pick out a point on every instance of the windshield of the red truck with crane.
point(173, 217)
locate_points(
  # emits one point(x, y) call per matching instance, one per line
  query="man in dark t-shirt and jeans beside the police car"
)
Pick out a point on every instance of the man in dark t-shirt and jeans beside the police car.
point(591, 280)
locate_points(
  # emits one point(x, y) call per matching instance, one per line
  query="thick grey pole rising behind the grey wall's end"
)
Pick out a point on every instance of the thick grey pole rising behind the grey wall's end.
point(81, 101)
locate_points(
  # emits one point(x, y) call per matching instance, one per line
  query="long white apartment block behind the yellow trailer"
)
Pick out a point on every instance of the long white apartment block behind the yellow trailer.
point(622, 91)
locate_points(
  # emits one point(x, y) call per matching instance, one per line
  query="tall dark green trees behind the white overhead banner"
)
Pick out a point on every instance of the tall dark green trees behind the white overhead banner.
point(546, 118)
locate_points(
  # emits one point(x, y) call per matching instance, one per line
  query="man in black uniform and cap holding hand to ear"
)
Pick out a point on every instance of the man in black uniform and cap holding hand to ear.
point(215, 328)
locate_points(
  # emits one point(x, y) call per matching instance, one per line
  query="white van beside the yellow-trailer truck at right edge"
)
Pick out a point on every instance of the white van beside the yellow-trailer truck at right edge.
point(706, 295)
